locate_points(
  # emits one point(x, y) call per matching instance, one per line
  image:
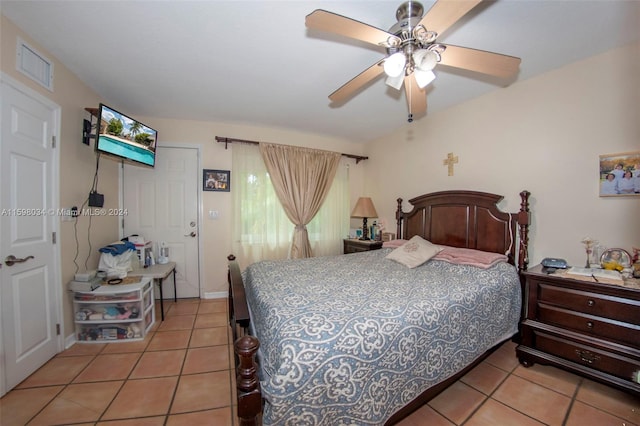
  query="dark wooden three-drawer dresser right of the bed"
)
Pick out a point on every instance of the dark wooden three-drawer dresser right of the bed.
point(589, 328)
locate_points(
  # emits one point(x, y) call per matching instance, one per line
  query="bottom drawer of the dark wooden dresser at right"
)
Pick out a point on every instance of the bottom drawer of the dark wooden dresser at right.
point(587, 355)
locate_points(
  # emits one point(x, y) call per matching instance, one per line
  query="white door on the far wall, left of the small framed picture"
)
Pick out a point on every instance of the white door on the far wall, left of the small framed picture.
point(162, 205)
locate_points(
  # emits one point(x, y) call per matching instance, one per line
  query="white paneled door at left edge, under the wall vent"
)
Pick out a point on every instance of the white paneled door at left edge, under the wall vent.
point(29, 288)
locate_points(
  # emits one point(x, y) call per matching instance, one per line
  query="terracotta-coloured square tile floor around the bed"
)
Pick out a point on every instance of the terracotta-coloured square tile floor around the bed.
point(181, 374)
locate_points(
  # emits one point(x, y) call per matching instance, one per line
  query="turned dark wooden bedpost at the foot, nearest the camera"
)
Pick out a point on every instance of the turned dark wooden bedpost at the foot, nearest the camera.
point(247, 383)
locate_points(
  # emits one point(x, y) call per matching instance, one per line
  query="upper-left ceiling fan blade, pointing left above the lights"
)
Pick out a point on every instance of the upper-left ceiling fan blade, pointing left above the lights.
point(332, 22)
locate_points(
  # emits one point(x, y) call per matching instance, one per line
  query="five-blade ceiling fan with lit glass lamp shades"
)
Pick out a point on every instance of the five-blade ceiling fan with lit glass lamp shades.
point(413, 50)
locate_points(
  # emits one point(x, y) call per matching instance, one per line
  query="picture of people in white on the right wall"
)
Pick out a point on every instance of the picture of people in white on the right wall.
point(619, 174)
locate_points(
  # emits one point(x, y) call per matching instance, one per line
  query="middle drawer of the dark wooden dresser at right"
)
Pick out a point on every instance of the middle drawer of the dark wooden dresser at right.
point(590, 324)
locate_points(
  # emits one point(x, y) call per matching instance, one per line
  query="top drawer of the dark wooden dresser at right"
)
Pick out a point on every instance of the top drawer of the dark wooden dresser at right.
point(612, 307)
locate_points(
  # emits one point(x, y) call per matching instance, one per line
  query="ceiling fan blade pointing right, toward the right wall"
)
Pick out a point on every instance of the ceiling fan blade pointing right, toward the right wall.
point(496, 64)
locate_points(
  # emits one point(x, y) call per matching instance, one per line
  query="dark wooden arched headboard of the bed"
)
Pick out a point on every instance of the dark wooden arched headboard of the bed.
point(468, 219)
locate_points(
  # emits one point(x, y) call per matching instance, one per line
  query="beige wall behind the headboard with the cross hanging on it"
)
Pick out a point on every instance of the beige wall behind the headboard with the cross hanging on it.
point(544, 135)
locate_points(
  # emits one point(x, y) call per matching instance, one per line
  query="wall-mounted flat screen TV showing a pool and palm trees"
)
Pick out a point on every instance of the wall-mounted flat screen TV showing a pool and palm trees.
point(125, 138)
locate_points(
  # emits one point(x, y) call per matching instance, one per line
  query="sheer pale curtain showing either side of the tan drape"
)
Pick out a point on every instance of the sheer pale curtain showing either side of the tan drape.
point(261, 229)
